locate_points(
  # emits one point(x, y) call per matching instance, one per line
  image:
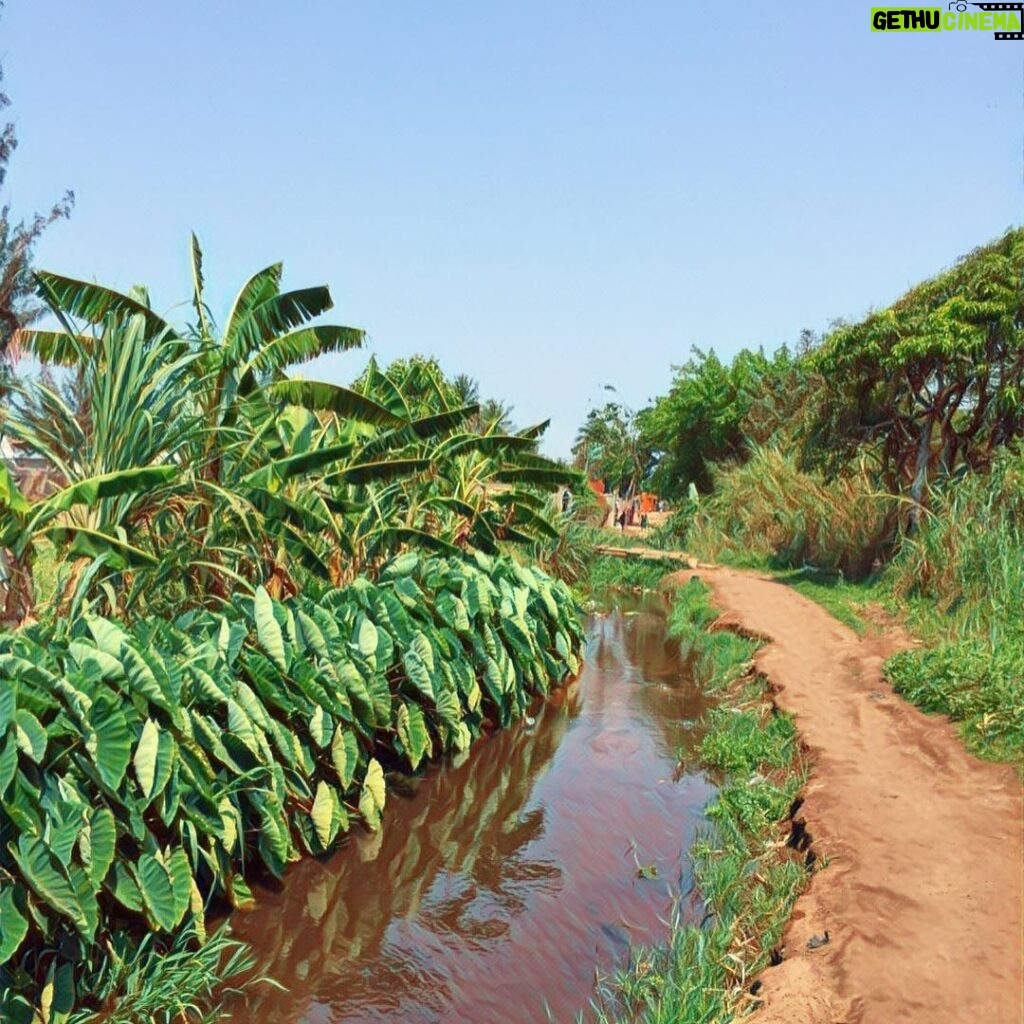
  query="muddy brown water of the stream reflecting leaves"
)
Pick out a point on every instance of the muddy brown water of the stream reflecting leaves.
point(498, 885)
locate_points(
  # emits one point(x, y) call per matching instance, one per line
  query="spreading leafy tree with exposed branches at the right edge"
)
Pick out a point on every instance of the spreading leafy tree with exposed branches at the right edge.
point(936, 381)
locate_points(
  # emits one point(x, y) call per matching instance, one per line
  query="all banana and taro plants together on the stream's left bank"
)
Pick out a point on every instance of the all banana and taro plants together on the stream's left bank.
point(245, 599)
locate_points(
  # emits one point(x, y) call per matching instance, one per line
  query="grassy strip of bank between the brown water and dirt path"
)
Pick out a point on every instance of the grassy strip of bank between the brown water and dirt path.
point(757, 858)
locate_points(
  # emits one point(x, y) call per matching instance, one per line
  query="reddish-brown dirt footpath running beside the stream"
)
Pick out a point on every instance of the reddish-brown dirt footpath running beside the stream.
point(923, 891)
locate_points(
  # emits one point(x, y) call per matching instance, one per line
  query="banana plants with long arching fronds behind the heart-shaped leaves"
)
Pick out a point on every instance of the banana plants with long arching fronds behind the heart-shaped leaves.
point(194, 466)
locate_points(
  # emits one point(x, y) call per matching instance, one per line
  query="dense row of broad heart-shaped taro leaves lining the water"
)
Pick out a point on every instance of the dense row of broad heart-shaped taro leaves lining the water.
point(144, 771)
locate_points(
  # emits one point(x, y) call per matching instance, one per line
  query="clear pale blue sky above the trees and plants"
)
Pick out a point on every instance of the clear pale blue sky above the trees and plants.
point(547, 196)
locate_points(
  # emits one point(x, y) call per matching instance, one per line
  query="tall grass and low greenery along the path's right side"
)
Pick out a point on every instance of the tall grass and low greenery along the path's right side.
point(958, 579)
